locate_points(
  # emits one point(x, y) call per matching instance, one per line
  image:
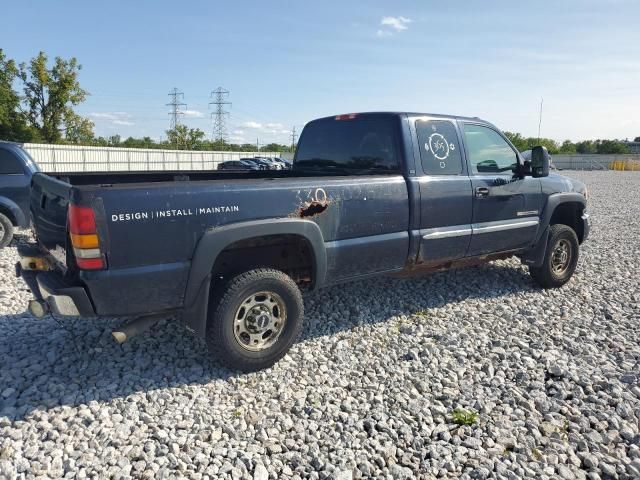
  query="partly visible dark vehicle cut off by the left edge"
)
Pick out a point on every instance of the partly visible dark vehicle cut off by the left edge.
point(16, 170)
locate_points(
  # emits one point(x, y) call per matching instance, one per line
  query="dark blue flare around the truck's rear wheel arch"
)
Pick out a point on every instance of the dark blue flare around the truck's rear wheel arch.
point(216, 239)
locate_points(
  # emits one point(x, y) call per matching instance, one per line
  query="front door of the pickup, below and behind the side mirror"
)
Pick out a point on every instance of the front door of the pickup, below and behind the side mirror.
point(506, 208)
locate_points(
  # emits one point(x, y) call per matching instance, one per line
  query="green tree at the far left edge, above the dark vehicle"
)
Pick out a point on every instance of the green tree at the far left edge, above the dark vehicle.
point(13, 124)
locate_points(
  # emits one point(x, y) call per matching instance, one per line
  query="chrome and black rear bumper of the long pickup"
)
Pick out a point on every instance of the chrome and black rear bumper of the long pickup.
point(50, 287)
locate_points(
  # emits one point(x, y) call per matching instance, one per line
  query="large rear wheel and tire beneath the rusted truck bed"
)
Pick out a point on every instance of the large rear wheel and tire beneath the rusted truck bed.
point(262, 306)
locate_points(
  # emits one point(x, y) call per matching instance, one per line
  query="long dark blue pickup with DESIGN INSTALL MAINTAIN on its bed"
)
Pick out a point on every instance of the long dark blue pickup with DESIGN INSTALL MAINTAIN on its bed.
point(229, 252)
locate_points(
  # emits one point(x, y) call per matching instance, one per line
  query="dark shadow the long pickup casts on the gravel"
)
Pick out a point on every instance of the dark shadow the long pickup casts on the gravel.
point(48, 363)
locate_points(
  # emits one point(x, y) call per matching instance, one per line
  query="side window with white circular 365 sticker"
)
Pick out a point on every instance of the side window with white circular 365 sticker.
point(439, 148)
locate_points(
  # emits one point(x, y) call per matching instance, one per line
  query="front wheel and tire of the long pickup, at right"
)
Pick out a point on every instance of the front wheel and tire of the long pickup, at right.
point(557, 267)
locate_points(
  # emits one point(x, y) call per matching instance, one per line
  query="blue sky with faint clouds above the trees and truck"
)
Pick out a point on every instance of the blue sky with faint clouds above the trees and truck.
point(286, 63)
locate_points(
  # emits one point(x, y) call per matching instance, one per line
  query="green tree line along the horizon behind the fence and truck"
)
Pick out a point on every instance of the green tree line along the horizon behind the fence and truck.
point(44, 112)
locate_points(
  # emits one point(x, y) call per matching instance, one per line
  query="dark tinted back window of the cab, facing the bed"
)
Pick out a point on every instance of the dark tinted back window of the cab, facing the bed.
point(349, 145)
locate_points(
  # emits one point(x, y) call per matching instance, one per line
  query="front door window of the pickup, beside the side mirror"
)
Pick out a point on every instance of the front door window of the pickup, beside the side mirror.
point(488, 151)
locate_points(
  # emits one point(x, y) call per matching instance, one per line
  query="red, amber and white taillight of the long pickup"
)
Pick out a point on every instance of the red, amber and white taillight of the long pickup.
point(84, 238)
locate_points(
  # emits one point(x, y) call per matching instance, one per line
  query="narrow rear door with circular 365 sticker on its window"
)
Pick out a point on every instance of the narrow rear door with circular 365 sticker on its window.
point(445, 192)
